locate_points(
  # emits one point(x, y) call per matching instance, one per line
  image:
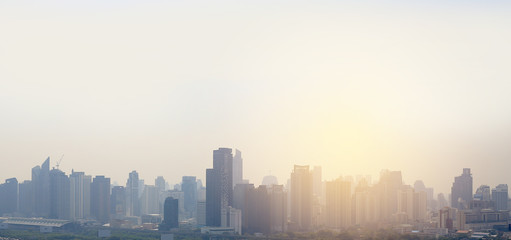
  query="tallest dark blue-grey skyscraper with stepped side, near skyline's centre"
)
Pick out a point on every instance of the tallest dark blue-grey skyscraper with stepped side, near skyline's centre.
point(219, 186)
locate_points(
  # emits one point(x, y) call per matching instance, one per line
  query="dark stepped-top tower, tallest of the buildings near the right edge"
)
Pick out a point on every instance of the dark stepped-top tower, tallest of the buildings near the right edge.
point(461, 190)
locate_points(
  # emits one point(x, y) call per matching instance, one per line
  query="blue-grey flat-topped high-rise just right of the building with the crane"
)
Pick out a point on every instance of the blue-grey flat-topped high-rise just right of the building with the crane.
point(80, 195)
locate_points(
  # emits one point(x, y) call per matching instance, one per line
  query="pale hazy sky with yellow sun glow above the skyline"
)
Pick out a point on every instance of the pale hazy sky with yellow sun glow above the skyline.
point(423, 87)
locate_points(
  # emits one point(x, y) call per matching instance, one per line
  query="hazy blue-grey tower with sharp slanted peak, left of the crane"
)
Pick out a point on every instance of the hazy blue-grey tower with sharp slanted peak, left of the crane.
point(41, 184)
